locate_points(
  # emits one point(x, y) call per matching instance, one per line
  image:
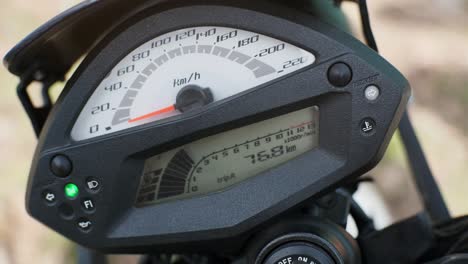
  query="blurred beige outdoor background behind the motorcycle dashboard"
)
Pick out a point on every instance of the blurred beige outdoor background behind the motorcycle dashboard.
point(426, 39)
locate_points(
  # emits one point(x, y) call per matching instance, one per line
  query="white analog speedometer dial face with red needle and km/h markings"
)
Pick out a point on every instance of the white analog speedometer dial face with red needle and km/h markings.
point(181, 71)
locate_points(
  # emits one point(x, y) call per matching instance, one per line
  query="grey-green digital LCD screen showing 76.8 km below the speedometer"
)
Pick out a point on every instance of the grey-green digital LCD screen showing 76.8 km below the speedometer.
point(220, 161)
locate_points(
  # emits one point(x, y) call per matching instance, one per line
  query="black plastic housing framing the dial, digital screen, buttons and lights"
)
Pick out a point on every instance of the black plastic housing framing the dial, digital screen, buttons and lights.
point(218, 222)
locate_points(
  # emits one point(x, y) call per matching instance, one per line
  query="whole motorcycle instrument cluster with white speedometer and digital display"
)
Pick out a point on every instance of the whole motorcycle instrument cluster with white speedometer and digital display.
point(200, 122)
